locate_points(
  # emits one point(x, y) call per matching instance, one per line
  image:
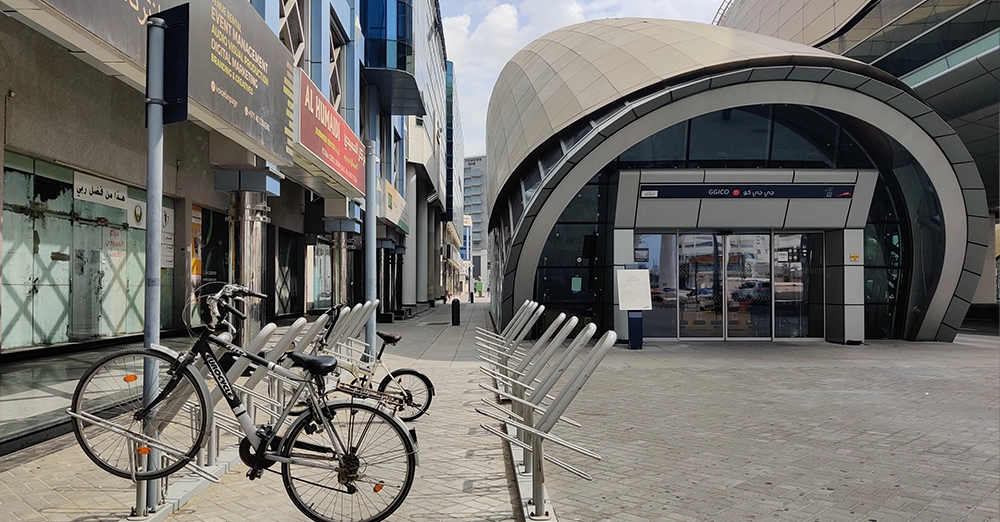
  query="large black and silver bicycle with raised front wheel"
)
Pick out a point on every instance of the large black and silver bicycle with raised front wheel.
point(341, 460)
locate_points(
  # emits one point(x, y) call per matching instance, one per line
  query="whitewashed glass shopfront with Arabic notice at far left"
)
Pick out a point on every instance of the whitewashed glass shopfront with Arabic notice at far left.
point(73, 269)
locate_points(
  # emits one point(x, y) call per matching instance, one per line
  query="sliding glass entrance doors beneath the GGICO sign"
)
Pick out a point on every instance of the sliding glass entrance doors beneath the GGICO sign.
point(752, 285)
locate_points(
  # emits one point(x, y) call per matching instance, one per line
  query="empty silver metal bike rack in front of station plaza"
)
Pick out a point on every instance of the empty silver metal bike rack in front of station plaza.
point(527, 384)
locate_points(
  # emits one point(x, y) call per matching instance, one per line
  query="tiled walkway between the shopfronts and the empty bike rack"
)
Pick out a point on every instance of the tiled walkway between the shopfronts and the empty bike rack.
point(461, 474)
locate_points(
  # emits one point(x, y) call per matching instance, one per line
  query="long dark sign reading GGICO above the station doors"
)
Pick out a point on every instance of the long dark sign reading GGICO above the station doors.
point(746, 191)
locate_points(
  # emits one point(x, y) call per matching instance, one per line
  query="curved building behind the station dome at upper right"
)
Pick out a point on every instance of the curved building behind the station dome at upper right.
point(948, 52)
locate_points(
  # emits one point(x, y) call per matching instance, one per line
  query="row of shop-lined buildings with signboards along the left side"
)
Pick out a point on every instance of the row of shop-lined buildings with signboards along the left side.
point(264, 184)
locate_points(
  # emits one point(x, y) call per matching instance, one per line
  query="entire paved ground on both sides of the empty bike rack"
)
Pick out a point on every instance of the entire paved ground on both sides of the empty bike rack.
point(790, 430)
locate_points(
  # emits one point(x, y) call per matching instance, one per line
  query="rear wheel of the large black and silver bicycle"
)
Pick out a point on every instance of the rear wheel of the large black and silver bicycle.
point(367, 483)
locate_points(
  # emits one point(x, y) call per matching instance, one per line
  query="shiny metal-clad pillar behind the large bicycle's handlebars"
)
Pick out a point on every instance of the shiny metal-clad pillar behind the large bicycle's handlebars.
point(247, 216)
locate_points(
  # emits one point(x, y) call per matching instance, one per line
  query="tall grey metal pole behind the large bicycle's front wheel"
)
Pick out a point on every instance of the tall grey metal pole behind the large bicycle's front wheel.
point(154, 213)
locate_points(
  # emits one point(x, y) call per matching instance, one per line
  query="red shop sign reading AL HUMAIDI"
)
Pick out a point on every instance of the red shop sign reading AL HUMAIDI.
point(325, 139)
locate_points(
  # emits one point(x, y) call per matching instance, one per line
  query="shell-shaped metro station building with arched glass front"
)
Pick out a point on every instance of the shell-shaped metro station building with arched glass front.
point(768, 188)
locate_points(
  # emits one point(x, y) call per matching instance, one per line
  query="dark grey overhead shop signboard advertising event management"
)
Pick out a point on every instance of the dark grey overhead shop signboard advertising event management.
point(240, 76)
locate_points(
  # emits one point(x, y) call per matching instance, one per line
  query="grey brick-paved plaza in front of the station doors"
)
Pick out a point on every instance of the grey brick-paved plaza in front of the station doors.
point(789, 431)
